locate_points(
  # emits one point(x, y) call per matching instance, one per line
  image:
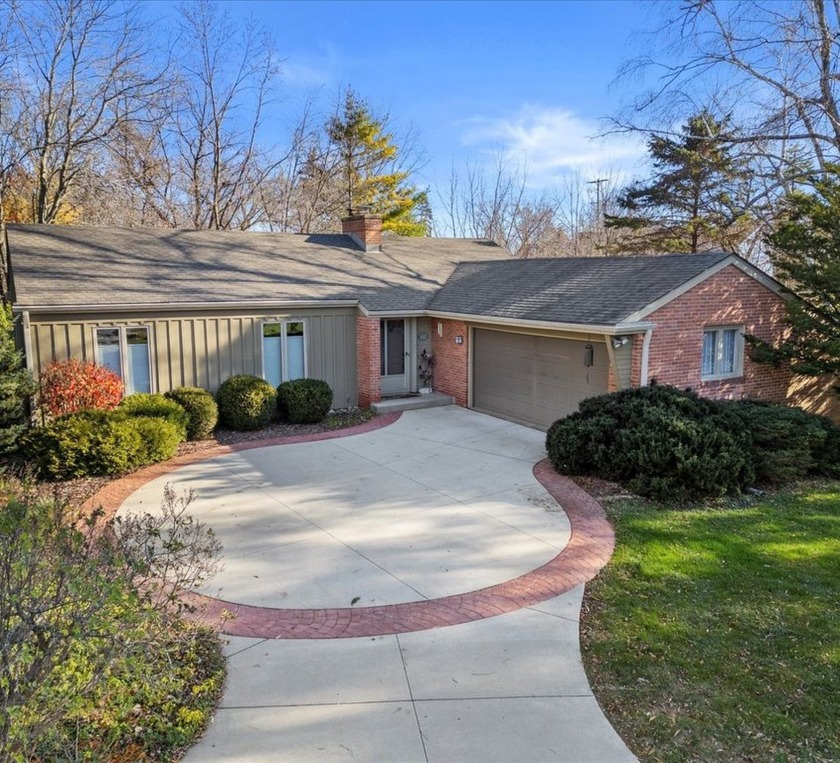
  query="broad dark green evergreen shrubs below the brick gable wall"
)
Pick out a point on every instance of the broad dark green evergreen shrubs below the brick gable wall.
point(673, 445)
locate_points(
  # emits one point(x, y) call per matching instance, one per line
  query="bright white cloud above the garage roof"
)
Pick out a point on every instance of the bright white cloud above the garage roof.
point(550, 142)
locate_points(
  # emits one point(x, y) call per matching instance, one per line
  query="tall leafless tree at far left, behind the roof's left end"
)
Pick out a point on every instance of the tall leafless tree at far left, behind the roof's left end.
point(76, 61)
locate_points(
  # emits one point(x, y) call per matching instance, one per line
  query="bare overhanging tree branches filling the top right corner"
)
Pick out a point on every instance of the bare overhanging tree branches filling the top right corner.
point(769, 67)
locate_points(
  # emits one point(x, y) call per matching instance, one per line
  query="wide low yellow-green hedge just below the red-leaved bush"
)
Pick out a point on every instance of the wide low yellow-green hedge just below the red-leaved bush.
point(99, 443)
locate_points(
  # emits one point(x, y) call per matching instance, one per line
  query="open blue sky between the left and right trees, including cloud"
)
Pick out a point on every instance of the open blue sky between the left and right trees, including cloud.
point(530, 79)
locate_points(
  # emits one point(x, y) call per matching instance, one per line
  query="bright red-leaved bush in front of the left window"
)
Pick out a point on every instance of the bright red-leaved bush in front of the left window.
point(73, 385)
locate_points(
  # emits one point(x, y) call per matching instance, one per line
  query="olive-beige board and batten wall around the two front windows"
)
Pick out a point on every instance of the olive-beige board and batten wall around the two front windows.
point(204, 350)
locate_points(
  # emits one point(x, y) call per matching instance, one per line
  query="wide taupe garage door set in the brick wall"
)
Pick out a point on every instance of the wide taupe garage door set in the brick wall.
point(534, 379)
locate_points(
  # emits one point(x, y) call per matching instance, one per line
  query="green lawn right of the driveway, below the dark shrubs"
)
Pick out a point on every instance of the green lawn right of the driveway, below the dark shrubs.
point(714, 633)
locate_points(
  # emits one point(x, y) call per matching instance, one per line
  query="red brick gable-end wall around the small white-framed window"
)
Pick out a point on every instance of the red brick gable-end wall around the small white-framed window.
point(728, 298)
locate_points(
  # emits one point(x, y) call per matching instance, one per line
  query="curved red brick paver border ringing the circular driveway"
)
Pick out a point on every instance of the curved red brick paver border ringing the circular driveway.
point(591, 545)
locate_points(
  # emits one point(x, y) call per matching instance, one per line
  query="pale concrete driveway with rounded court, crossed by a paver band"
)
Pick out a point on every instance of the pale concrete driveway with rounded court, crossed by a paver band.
point(440, 508)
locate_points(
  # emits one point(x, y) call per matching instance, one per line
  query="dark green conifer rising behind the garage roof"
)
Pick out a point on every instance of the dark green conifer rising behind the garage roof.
point(690, 204)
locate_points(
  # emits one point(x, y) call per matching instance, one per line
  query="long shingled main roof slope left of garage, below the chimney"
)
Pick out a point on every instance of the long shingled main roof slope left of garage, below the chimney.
point(67, 266)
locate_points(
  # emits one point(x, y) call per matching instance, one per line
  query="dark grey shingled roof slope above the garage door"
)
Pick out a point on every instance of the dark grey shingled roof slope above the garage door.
point(575, 290)
